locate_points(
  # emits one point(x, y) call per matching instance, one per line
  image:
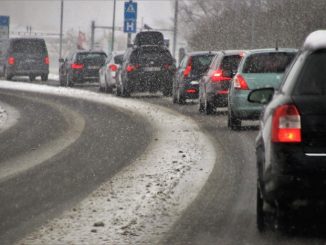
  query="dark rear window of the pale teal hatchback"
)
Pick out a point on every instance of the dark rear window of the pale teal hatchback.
point(268, 62)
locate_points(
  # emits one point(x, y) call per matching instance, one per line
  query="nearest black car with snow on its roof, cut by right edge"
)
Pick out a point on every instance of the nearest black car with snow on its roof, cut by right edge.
point(291, 145)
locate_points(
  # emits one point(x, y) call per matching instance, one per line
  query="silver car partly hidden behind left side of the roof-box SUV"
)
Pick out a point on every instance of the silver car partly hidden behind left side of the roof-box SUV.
point(108, 72)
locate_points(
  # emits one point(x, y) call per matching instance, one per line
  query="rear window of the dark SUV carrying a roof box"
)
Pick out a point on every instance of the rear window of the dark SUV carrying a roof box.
point(148, 54)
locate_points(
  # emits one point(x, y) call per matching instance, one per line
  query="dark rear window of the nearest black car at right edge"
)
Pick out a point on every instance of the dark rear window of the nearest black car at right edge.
point(312, 78)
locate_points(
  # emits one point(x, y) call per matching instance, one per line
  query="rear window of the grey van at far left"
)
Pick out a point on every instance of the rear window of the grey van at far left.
point(28, 46)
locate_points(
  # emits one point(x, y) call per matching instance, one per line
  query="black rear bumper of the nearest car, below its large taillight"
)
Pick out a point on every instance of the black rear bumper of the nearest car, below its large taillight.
point(294, 175)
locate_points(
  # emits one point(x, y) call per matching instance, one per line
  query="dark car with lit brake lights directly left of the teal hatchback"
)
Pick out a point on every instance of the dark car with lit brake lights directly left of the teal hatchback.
point(214, 85)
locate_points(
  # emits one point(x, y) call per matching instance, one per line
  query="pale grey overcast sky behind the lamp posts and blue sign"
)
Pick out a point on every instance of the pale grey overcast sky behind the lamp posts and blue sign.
point(44, 15)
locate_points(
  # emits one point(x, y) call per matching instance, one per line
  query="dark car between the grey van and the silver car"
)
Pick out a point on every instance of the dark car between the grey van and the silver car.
point(81, 67)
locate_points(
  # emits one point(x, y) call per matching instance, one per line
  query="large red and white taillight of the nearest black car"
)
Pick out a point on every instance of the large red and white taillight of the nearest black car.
point(286, 124)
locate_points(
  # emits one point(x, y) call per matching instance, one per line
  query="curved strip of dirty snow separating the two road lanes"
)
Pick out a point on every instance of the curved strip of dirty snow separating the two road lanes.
point(141, 202)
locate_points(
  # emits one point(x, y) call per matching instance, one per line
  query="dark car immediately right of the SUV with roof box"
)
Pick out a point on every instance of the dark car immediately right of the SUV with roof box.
point(190, 71)
